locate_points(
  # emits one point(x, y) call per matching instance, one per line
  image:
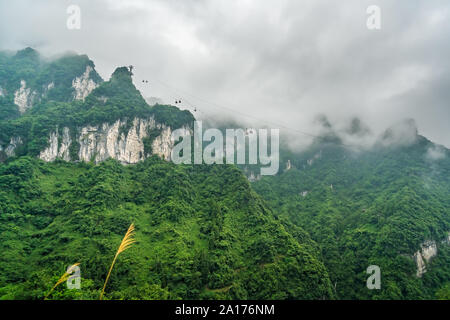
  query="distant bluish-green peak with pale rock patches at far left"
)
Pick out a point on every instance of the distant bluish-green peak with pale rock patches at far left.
point(27, 79)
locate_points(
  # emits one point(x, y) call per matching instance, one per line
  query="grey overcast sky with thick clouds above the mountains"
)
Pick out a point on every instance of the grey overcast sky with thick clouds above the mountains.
point(279, 61)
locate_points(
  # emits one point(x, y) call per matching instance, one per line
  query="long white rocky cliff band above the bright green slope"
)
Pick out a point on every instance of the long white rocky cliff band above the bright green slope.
point(125, 142)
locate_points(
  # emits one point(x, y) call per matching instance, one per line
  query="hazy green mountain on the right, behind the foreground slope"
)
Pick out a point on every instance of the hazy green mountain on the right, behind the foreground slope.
point(387, 205)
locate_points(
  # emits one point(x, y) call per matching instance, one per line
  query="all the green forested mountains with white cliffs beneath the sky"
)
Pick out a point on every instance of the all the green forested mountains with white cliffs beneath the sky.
point(82, 158)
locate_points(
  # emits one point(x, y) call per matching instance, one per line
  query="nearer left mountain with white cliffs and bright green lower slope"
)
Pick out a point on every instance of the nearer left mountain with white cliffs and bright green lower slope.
point(78, 167)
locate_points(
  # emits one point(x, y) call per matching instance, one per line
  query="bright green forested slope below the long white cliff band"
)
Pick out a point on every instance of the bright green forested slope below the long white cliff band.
point(201, 233)
